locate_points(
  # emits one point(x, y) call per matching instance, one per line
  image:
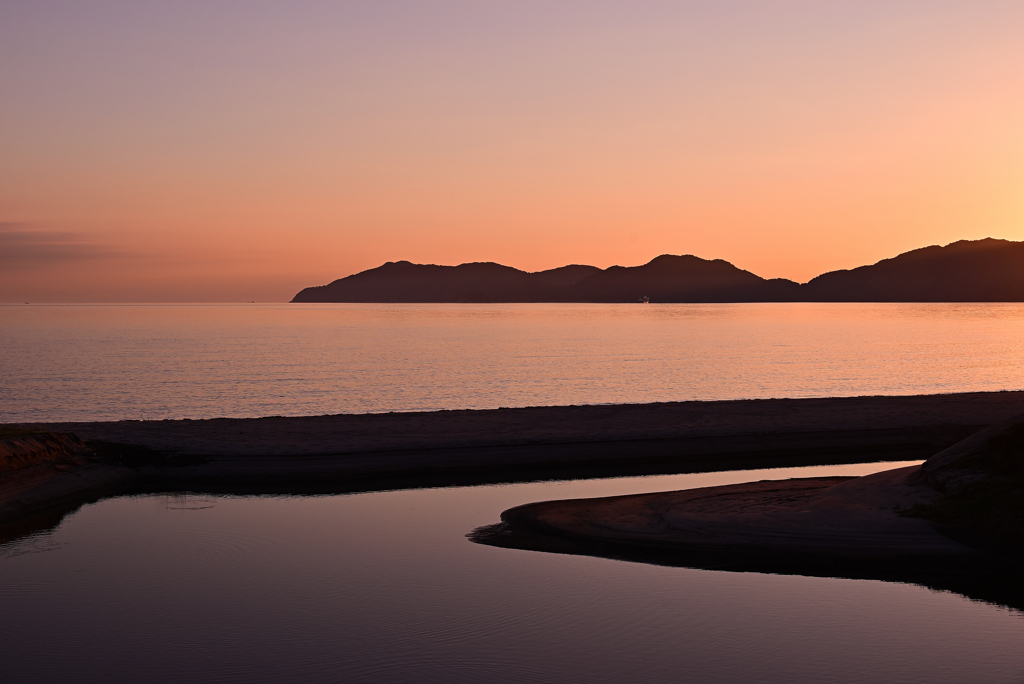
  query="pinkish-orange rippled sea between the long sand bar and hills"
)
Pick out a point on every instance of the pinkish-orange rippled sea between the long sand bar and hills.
point(135, 362)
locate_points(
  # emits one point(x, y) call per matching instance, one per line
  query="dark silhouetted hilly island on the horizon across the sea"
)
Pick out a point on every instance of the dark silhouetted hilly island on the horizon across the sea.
point(982, 271)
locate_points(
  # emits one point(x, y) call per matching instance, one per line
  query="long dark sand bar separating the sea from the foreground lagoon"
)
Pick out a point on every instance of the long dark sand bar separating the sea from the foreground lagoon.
point(354, 453)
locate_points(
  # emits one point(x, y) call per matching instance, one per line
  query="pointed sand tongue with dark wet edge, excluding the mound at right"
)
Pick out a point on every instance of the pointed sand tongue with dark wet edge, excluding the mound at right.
point(828, 527)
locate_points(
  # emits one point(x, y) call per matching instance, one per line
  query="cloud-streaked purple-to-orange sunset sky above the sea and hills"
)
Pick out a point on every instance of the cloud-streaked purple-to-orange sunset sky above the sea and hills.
point(229, 151)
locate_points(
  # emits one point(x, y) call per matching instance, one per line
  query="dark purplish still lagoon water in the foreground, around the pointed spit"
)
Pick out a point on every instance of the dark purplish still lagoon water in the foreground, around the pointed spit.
point(386, 588)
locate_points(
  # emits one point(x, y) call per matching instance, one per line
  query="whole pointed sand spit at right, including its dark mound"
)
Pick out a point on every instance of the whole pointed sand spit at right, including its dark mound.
point(955, 523)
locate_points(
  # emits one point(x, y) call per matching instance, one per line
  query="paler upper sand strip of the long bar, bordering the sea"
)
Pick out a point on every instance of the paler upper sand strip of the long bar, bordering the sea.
point(320, 436)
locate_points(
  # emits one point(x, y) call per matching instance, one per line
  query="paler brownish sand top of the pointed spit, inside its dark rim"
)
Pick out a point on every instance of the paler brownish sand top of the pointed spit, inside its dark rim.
point(842, 518)
